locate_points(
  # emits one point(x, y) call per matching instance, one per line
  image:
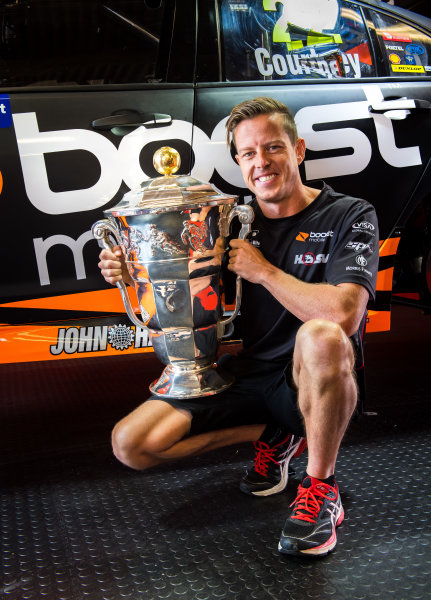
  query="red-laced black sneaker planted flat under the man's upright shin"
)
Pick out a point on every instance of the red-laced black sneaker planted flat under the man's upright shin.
point(316, 512)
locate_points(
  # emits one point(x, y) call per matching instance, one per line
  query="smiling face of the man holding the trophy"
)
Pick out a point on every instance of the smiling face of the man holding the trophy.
point(268, 160)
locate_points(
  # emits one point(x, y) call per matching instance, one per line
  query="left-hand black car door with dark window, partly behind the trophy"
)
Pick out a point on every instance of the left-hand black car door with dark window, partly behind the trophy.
point(91, 90)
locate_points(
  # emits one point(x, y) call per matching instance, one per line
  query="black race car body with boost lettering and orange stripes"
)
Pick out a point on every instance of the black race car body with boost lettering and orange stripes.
point(90, 90)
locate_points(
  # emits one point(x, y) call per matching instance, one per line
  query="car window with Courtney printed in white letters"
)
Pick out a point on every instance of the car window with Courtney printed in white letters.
point(293, 39)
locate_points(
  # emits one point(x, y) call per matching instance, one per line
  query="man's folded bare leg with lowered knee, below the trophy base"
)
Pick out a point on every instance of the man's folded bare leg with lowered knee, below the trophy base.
point(153, 433)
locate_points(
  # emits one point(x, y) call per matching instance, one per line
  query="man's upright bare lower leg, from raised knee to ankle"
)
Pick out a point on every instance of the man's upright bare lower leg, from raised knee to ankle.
point(327, 392)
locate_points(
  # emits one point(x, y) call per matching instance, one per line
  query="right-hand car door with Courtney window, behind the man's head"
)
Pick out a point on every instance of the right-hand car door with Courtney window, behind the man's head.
point(363, 112)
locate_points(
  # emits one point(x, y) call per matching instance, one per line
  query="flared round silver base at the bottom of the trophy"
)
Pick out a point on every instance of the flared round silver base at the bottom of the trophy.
point(177, 382)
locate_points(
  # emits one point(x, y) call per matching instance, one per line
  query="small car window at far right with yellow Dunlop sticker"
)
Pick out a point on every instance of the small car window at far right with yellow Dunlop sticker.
point(404, 50)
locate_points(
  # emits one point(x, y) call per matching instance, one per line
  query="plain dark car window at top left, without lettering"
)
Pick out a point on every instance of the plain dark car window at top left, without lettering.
point(80, 42)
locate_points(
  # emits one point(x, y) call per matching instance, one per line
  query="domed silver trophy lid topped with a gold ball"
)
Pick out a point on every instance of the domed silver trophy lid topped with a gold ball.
point(168, 192)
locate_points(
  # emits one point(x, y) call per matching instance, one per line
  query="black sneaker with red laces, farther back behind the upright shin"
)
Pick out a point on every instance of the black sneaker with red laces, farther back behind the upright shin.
point(271, 464)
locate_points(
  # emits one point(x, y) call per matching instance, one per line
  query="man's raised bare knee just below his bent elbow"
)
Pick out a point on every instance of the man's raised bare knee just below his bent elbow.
point(323, 345)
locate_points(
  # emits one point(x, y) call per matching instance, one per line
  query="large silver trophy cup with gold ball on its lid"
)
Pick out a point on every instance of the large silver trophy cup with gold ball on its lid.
point(173, 232)
